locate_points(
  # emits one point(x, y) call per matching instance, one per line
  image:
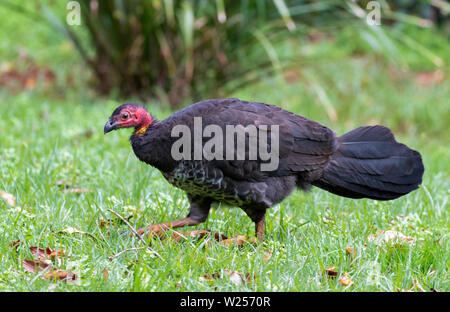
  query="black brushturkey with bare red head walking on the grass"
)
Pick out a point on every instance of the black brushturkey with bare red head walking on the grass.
point(366, 162)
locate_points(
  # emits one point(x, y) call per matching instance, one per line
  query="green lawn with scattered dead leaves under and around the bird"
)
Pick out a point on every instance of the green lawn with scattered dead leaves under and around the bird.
point(49, 138)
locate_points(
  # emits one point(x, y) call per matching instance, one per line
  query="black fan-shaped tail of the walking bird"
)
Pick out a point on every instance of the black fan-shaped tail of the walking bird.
point(370, 163)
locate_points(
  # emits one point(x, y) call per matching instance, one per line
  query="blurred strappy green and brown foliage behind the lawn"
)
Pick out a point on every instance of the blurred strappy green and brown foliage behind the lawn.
point(194, 49)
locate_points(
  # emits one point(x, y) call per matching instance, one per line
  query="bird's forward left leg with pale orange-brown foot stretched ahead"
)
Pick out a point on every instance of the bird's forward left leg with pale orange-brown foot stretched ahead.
point(198, 214)
